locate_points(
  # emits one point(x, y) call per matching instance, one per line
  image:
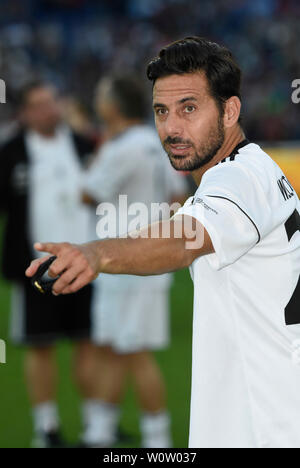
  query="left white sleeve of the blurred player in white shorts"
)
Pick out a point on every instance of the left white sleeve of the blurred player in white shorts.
point(108, 172)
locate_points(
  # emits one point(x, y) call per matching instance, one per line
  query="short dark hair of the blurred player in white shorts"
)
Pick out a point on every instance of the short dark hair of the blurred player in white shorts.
point(129, 93)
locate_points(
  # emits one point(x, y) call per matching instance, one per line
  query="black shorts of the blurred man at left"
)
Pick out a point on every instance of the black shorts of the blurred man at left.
point(39, 319)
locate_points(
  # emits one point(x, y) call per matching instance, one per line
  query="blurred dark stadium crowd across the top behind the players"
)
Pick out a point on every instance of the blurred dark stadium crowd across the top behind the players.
point(73, 42)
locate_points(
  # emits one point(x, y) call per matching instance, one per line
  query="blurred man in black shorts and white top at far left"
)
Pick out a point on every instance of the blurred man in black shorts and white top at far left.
point(39, 192)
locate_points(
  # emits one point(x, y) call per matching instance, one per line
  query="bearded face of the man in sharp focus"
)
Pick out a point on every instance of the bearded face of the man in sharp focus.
point(188, 121)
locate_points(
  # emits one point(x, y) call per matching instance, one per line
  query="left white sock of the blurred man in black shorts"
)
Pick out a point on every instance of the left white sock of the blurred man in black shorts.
point(45, 417)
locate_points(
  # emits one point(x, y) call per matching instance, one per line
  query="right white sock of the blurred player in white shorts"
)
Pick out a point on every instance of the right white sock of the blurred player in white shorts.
point(156, 432)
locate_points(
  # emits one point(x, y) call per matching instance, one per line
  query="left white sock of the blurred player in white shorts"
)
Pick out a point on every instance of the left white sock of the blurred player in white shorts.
point(100, 422)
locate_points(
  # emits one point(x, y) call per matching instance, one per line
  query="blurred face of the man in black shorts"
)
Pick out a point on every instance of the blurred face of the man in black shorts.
point(42, 111)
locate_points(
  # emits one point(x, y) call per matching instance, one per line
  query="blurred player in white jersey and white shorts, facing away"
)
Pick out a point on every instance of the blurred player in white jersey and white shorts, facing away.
point(130, 314)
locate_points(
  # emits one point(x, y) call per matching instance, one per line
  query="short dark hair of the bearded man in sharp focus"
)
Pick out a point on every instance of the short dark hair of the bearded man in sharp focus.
point(195, 53)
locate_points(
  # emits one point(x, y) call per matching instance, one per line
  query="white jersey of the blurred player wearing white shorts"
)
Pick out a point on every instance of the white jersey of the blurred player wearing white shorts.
point(133, 165)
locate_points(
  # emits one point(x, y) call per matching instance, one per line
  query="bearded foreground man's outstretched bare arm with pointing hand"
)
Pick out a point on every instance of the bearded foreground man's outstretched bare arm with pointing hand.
point(159, 248)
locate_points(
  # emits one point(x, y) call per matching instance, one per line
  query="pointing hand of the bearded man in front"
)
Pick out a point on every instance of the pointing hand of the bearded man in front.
point(76, 265)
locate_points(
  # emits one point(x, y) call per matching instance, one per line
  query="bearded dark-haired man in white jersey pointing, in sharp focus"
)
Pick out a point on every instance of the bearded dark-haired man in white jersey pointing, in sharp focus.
point(241, 239)
